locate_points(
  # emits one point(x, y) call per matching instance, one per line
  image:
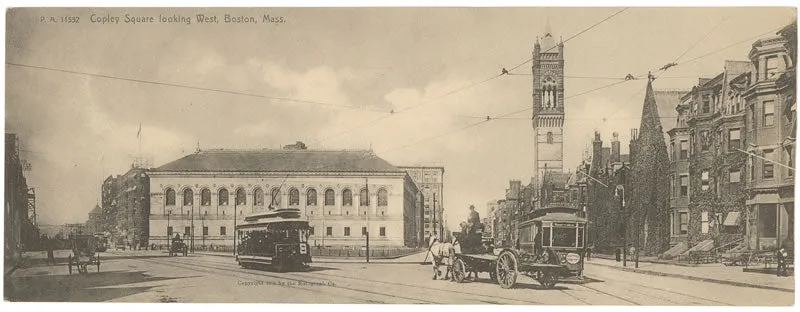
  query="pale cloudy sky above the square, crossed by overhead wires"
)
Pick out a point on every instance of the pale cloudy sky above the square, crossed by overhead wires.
point(355, 65)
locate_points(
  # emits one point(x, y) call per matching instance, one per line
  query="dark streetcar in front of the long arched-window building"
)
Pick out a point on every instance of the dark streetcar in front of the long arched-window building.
point(276, 238)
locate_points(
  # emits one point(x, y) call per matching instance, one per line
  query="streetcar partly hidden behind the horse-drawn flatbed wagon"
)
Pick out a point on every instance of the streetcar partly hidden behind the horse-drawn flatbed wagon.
point(558, 235)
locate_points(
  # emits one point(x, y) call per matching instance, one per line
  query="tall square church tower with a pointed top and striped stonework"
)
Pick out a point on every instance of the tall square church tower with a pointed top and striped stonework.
point(548, 104)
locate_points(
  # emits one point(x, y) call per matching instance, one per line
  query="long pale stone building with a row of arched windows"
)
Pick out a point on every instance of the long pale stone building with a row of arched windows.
point(343, 194)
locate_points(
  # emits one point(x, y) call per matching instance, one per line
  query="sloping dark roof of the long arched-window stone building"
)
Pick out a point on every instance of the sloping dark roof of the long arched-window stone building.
point(268, 160)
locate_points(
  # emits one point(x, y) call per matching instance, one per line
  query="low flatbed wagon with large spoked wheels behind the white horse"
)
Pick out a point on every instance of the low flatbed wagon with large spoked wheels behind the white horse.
point(504, 265)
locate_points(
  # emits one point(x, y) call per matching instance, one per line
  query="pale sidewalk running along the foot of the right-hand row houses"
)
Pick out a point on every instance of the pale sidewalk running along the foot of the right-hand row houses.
point(714, 273)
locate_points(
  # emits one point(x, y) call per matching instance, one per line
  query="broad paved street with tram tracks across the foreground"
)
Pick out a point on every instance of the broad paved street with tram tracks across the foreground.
point(153, 277)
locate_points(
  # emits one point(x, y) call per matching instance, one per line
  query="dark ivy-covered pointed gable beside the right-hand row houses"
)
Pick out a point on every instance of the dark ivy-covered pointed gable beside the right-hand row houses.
point(649, 187)
